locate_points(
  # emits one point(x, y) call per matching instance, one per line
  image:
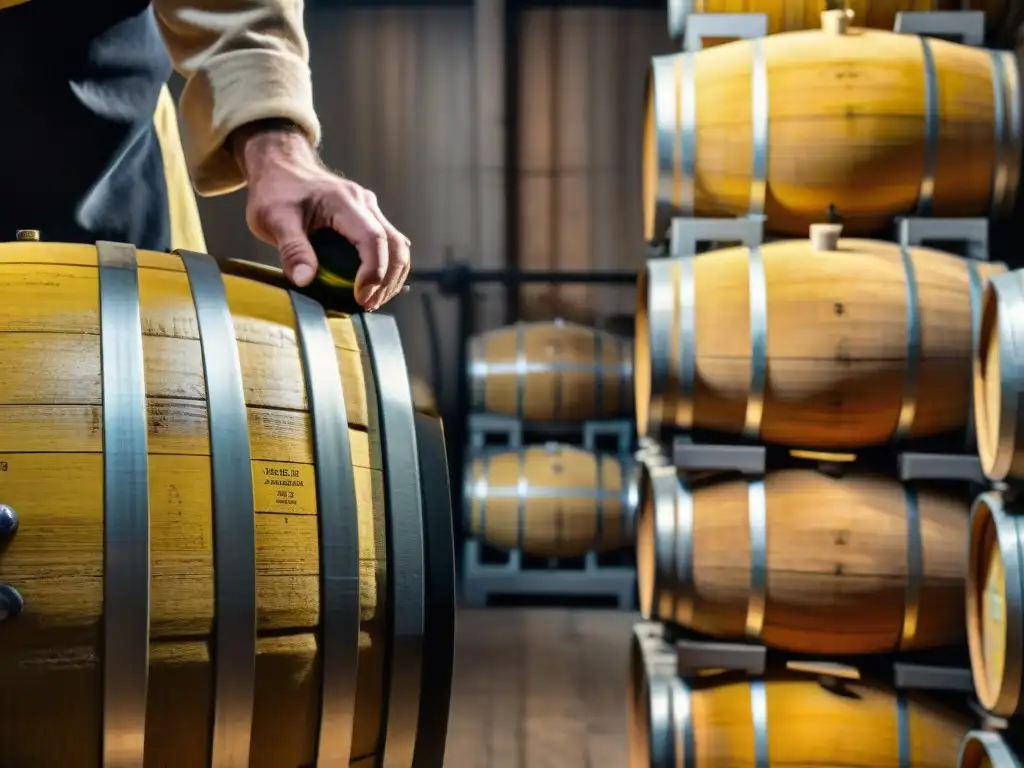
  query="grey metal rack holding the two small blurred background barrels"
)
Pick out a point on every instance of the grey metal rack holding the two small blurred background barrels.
point(483, 581)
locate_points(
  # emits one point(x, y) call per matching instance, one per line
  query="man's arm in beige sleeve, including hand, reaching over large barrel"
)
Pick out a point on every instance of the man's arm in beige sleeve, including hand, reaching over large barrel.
point(249, 119)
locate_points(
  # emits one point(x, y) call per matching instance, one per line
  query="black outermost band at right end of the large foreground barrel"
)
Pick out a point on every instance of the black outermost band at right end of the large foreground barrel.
point(439, 645)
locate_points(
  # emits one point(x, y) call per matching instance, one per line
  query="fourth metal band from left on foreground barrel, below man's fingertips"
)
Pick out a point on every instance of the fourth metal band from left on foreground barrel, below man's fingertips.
point(405, 535)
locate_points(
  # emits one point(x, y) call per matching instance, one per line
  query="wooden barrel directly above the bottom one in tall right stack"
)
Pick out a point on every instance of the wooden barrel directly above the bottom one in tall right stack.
point(804, 562)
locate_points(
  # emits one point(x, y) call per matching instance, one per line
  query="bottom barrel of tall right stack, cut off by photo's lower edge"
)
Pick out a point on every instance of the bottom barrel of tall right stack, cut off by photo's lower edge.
point(791, 720)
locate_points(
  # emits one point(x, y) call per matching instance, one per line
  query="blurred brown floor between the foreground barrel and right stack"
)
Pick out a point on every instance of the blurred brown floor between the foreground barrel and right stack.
point(540, 689)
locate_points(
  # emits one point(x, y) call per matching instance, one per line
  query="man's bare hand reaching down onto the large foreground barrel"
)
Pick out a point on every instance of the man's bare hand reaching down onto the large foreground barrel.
point(292, 194)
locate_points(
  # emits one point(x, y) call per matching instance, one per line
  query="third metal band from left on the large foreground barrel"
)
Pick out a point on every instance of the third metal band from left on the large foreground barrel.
point(338, 519)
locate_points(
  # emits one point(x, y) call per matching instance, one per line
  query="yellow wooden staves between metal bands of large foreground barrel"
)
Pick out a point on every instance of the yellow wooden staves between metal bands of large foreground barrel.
point(52, 473)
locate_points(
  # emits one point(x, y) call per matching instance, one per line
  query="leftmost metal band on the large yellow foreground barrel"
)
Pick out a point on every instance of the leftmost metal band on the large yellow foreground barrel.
point(126, 510)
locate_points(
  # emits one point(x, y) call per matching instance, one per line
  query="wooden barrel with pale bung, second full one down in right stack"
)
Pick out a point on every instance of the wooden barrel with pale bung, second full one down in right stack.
point(793, 345)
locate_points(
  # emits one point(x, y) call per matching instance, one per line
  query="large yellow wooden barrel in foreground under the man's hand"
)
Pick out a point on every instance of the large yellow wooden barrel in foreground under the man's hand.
point(228, 564)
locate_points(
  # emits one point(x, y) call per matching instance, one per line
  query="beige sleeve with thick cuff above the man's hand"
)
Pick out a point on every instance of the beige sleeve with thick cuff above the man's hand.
point(244, 61)
